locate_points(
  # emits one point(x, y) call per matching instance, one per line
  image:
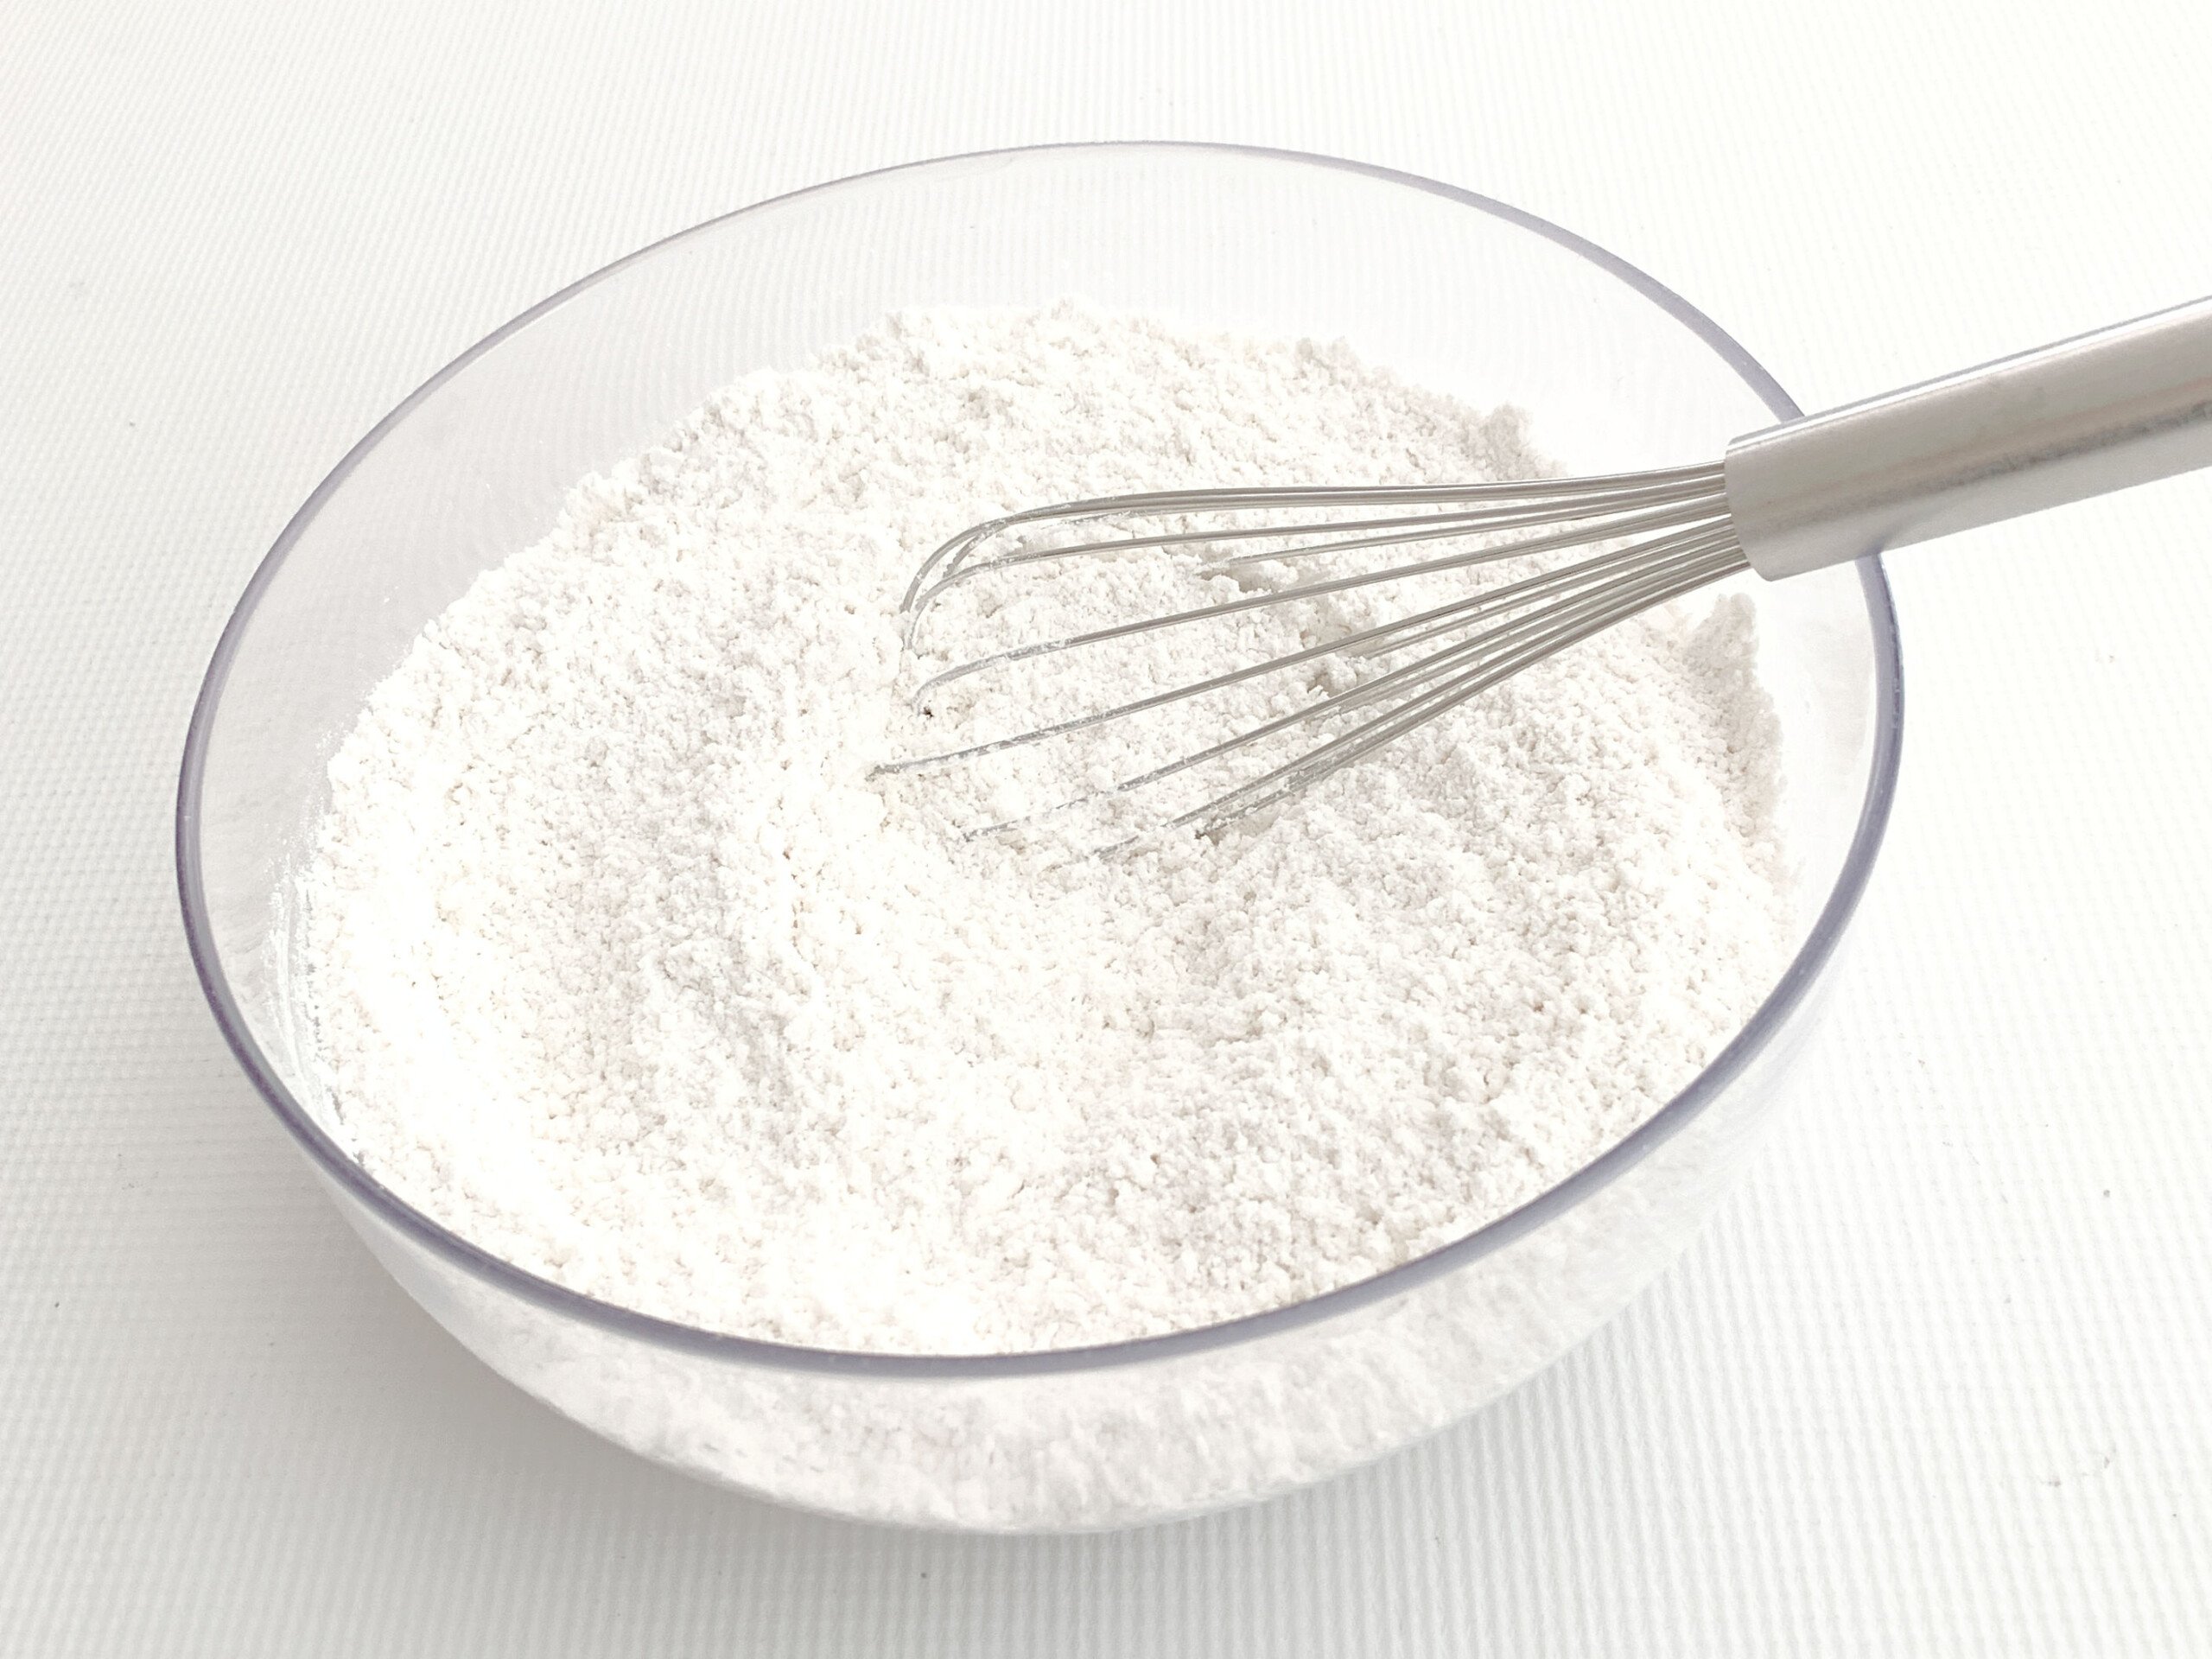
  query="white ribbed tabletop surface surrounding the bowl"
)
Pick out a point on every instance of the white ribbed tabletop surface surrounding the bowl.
point(1934, 1384)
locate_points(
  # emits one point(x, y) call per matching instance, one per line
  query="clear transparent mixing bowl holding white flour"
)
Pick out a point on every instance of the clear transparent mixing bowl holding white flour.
point(1450, 289)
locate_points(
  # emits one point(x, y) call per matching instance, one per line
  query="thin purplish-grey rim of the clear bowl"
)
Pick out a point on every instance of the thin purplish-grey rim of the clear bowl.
point(1771, 1016)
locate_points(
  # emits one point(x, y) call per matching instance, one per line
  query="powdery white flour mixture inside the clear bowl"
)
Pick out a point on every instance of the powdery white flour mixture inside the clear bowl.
point(625, 968)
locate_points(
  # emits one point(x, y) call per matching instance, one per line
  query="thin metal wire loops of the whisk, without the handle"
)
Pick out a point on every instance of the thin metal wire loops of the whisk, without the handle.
point(1660, 536)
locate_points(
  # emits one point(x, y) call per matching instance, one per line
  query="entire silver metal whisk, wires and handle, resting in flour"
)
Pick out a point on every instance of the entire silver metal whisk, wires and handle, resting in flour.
point(2076, 419)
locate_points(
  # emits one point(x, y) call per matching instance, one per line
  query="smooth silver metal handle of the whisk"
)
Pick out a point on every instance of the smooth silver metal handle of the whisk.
point(2085, 417)
